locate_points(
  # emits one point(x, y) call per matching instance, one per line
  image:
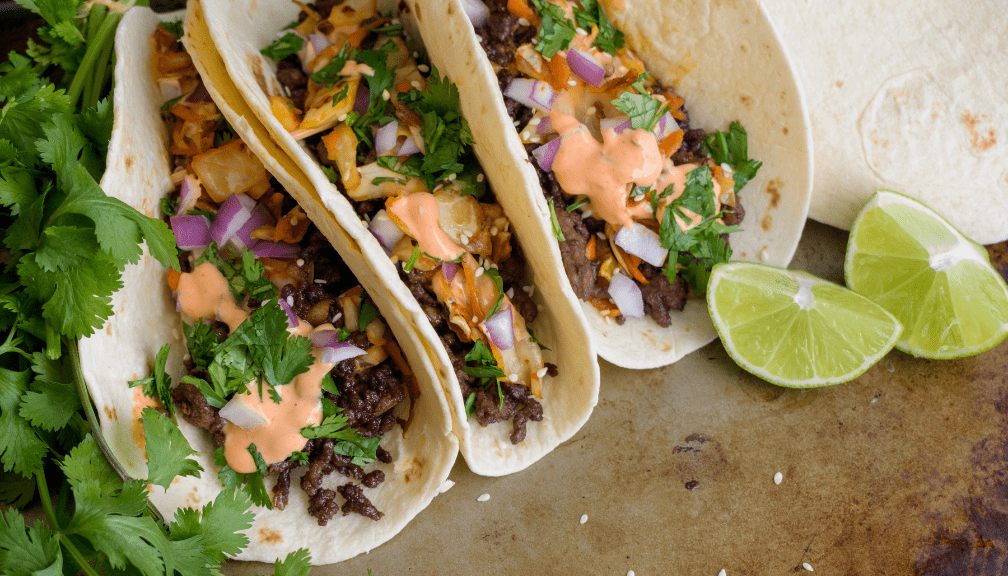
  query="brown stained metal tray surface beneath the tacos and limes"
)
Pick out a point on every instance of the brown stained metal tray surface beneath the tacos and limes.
point(903, 472)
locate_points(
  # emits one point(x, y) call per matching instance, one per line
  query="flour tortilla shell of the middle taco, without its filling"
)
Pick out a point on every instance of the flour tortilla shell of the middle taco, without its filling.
point(240, 29)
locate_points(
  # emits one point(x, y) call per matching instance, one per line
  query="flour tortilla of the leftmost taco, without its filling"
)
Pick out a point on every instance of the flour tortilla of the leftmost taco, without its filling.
point(146, 319)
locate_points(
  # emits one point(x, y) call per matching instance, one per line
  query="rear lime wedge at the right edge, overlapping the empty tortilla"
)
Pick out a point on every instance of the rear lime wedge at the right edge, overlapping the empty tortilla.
point(939, 284)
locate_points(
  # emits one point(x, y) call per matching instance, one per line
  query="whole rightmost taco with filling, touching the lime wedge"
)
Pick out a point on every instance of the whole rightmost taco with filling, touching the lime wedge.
point(590, 100)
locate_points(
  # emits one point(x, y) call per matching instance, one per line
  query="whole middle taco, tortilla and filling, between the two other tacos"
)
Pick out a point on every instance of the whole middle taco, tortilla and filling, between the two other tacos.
point(354, 100)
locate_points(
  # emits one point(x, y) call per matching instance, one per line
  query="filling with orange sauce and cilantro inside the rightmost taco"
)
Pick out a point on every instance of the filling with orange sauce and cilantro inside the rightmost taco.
point(642, 204)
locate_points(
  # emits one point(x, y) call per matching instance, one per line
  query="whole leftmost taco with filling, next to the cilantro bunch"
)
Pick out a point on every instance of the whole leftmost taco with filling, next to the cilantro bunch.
point(295, 381)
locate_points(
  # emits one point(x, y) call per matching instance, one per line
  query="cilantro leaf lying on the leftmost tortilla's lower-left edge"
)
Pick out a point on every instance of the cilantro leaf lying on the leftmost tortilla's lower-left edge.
point(168, 450)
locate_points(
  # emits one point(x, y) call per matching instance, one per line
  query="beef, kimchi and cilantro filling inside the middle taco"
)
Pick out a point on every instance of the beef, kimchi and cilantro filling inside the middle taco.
point(389, 133)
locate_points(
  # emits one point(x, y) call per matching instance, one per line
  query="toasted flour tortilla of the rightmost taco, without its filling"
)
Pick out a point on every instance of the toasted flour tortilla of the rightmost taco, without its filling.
point(726, 60)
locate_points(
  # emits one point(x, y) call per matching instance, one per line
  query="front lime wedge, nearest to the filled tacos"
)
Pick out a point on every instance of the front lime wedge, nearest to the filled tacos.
point(794, 329)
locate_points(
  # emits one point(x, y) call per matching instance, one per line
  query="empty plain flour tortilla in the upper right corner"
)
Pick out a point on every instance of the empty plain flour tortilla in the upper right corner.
point(907, 96)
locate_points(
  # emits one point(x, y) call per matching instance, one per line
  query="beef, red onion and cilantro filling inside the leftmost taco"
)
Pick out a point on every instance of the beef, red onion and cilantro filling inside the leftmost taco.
point(290, 364)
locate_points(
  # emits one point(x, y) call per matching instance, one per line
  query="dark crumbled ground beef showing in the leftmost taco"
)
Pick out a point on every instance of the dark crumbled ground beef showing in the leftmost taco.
point(367, 396)
